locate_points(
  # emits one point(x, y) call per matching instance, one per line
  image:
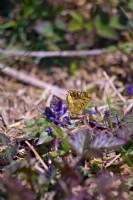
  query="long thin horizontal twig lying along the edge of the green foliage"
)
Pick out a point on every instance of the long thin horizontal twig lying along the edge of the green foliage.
point(44, 54)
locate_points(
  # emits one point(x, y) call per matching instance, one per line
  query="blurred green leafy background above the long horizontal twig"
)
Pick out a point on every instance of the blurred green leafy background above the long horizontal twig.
point(65, 24)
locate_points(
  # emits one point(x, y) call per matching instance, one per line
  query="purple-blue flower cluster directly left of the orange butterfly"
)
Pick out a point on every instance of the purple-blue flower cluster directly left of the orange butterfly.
point(55, 113)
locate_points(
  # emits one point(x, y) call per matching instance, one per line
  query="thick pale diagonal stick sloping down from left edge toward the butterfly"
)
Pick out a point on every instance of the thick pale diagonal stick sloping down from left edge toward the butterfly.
point(32, 81)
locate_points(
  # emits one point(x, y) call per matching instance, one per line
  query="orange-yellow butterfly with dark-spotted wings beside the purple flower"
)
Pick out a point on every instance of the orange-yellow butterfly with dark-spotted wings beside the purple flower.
point(77, 100)
